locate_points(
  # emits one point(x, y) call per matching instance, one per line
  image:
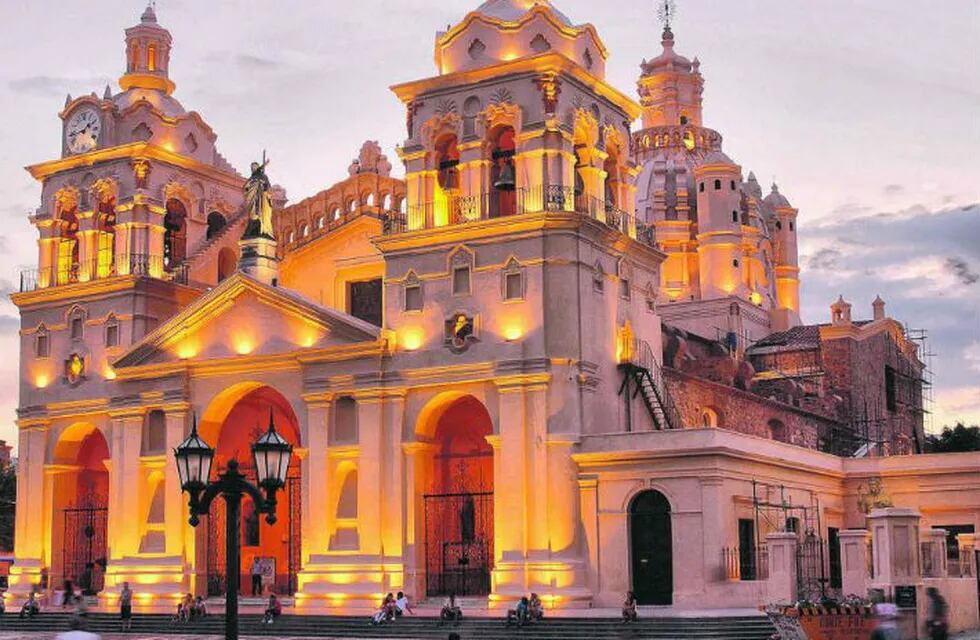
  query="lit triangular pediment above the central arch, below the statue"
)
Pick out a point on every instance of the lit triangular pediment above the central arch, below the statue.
point(245, 317)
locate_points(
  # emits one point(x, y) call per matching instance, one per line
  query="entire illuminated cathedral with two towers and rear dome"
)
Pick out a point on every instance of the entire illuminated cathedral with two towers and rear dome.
point(563, 353)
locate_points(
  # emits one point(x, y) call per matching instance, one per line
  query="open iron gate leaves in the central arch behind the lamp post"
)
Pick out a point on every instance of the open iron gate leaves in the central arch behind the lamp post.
point(286, 584)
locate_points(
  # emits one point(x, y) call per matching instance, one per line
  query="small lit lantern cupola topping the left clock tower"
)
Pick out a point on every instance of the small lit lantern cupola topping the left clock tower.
point(147, 55)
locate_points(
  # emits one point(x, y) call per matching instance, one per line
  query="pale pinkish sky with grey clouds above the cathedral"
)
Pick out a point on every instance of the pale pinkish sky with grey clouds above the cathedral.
point(866, 113)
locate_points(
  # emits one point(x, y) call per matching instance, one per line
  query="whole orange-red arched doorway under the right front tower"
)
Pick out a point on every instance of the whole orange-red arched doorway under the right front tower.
point(458, 503)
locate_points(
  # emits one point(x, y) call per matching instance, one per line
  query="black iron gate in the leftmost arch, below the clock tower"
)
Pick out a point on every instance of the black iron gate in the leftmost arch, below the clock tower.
point(84, 549)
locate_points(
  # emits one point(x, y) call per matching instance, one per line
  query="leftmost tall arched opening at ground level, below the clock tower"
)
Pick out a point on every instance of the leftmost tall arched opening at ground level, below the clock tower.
point(80, 495)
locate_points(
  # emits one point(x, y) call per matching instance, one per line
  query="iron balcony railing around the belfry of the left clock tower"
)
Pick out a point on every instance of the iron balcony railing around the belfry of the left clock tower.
point(136, 264)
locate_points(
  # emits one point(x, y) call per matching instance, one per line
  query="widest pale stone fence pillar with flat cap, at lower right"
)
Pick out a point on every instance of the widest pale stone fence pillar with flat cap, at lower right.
point(895, 532)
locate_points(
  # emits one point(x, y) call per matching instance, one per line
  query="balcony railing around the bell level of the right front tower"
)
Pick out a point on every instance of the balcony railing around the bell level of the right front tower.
point(460, 209)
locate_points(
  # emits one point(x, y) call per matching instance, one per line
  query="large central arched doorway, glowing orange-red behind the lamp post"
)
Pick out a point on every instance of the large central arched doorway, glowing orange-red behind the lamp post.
point(233, 421)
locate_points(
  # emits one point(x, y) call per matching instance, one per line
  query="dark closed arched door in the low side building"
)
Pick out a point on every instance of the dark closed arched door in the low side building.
point(651, 548)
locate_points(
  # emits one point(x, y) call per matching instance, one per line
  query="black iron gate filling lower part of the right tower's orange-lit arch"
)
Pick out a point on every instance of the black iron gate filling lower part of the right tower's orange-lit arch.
point(458, 543)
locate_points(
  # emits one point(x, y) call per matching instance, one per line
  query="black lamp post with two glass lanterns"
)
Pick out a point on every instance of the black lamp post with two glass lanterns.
point(194, 457)
